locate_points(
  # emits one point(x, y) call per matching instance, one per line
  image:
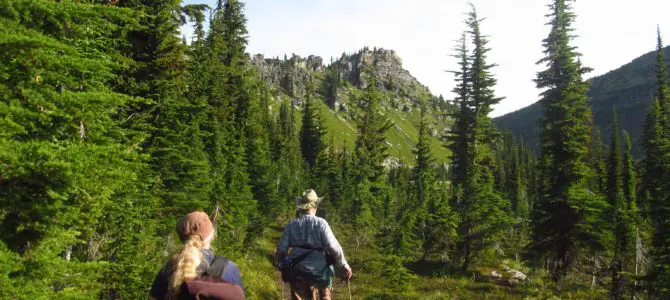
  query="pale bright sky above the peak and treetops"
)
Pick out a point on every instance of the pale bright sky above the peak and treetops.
point(610, 33)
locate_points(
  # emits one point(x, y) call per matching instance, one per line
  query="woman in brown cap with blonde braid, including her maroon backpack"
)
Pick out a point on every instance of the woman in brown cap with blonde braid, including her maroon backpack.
point(194, 271)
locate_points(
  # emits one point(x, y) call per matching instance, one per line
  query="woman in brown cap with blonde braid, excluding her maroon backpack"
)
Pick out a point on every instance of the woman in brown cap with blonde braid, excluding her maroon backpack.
point(192, 259)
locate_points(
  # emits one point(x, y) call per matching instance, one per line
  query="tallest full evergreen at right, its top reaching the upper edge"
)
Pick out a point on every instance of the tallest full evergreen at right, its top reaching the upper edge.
point(568, 215)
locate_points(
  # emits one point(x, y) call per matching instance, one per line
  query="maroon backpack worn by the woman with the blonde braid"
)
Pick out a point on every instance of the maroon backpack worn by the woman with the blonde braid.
point(210, 286)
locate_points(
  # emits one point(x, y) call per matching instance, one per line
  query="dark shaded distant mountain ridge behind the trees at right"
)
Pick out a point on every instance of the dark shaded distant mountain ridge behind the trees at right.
point(630, 88)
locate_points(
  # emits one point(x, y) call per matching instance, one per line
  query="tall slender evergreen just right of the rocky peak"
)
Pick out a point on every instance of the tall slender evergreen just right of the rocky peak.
point(481, 208)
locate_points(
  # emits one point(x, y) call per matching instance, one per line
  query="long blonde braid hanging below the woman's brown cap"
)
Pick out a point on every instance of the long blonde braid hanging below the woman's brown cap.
point(185, 263)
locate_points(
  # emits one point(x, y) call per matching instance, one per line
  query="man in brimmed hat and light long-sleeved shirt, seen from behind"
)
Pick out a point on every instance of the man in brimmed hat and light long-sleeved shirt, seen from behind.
point(314, 249)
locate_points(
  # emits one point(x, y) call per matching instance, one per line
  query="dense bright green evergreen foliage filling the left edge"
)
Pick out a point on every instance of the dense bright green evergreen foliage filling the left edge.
point(70, 171)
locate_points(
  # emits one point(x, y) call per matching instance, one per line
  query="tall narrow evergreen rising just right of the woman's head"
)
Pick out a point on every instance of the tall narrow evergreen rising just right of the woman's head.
point(231, 96)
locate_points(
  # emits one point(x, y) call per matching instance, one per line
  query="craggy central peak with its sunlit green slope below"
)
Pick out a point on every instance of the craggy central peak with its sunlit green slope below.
point(339, 84)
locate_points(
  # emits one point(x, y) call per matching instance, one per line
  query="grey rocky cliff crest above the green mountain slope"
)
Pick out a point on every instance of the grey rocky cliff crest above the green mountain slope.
point(336, 80)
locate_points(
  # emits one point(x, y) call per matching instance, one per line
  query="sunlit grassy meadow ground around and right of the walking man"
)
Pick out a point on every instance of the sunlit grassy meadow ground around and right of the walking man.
point(262, 281)
